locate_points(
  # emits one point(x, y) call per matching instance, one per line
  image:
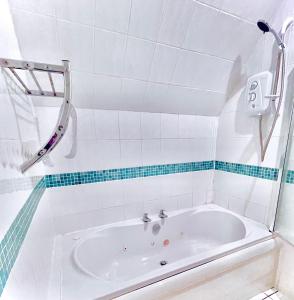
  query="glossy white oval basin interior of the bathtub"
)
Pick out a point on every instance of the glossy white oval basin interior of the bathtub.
point(132, 250)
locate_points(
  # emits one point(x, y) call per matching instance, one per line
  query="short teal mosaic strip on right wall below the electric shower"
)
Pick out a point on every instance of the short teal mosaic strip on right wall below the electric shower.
point(248, 170)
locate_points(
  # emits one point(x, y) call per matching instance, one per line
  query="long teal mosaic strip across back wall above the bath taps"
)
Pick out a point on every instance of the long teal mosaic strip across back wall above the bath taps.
point(124, 173)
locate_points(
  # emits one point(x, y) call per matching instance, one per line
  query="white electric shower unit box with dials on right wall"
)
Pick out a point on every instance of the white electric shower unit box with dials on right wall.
point(257, 93)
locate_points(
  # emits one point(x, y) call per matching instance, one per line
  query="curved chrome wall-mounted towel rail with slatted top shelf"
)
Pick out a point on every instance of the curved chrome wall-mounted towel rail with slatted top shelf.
point(64, 113)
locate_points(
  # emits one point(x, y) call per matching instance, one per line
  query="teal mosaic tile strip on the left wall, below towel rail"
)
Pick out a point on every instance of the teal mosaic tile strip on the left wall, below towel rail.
point(12, 241)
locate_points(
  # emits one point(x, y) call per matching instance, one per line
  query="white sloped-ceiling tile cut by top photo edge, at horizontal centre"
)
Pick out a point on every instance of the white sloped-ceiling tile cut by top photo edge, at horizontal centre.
point(145, 18)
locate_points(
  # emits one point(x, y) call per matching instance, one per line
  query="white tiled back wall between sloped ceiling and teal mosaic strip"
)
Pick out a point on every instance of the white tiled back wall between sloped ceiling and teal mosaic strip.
point(116, 139)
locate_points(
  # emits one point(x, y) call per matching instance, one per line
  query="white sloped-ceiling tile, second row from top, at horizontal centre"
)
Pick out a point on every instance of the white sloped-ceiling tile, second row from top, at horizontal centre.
point(139, 55)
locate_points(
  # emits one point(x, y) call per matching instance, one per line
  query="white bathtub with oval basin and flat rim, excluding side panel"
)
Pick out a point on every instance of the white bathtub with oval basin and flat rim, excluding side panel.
point(111, 260)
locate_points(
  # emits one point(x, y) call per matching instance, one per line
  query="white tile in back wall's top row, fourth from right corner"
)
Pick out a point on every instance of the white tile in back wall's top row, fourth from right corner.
point(150, 124)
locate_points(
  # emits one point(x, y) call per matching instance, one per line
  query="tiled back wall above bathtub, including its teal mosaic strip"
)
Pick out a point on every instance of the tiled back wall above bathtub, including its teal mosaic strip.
point(112, 140)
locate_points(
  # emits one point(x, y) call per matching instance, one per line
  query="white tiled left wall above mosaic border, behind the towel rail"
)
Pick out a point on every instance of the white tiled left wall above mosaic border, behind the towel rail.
point(18, 136)
